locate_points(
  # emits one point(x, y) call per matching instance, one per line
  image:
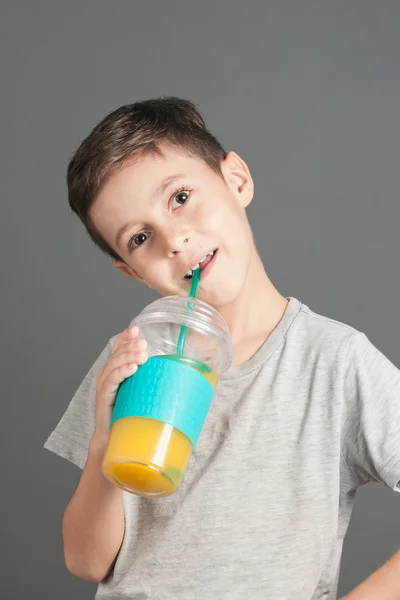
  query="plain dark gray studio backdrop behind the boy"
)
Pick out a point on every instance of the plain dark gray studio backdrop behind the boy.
point(307, 92)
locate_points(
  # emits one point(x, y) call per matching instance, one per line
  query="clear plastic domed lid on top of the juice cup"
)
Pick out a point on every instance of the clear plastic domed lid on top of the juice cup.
point(208, 338)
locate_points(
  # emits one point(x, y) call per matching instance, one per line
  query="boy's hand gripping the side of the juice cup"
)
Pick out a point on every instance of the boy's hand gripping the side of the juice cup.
point(128, 352)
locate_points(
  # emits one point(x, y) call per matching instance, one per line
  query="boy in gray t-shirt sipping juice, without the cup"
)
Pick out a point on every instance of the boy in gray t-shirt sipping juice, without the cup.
point(307, 413)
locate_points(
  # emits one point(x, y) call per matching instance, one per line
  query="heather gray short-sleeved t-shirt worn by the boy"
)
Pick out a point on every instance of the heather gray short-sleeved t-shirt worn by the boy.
point(270, 487)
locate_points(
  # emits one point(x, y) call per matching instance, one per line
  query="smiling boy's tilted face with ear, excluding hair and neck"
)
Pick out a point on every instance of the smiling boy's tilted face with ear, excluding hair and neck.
point(163, 214)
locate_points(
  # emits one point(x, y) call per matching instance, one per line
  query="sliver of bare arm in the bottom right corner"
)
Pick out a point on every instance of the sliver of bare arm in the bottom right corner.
point(384, 584)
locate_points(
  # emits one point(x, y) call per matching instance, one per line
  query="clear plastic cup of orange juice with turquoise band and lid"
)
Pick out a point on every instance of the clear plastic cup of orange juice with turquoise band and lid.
point(160, 410)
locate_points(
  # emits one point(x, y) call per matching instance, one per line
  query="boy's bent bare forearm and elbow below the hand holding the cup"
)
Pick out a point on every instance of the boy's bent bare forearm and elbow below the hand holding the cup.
point(93, 523)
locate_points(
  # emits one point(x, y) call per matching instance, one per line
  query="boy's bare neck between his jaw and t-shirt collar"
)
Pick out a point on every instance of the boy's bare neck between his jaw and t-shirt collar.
point(255, 313)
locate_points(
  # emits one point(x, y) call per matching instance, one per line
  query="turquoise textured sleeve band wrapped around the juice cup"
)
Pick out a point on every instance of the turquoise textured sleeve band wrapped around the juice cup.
point(167, 391)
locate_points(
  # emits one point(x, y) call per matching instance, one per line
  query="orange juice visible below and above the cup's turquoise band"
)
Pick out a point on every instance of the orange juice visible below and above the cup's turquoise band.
point(146, 456)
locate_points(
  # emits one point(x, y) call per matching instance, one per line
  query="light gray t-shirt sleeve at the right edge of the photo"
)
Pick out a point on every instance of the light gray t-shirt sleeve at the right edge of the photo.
point(371, 440)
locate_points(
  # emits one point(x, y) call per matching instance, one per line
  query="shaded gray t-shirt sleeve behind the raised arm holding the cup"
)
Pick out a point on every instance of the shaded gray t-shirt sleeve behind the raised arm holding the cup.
point(70, 439)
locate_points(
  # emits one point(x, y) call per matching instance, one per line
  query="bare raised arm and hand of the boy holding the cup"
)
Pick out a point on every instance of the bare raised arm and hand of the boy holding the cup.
point(94, 523)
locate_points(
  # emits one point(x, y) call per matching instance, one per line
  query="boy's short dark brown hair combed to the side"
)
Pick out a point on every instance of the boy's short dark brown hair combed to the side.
point(135, 129)
